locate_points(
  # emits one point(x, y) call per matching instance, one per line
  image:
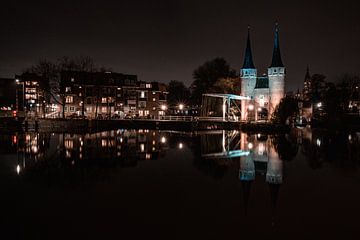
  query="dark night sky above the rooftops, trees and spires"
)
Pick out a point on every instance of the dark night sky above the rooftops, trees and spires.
point(166, 40)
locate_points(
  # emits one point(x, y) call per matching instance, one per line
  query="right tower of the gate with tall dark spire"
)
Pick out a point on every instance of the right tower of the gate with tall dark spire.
point(276, 73)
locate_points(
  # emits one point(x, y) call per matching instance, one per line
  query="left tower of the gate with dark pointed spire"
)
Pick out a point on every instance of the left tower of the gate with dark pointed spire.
point(248, 75)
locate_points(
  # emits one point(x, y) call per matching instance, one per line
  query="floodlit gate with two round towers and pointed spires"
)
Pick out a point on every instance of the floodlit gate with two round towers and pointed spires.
point(265, 91)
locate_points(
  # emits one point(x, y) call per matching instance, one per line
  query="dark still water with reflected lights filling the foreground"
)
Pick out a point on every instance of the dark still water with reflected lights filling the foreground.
point(128, 184)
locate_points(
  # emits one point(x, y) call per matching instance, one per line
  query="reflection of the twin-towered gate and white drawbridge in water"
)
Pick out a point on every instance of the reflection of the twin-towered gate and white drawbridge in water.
point(257, 153)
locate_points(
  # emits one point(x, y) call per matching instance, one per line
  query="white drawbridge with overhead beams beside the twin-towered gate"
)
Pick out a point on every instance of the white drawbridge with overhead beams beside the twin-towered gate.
point(221, 107)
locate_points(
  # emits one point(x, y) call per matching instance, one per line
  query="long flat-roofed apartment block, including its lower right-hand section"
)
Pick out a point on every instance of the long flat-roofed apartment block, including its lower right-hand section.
point(109, 94)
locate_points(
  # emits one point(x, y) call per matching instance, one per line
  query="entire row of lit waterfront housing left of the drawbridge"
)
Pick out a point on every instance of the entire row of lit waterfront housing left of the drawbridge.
point(84, 94)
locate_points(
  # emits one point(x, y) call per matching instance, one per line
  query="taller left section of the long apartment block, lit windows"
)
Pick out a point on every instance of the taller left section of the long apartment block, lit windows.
point(98, 94)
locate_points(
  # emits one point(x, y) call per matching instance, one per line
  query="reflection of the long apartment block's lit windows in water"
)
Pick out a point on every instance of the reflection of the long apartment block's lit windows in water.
point(127, 145)
